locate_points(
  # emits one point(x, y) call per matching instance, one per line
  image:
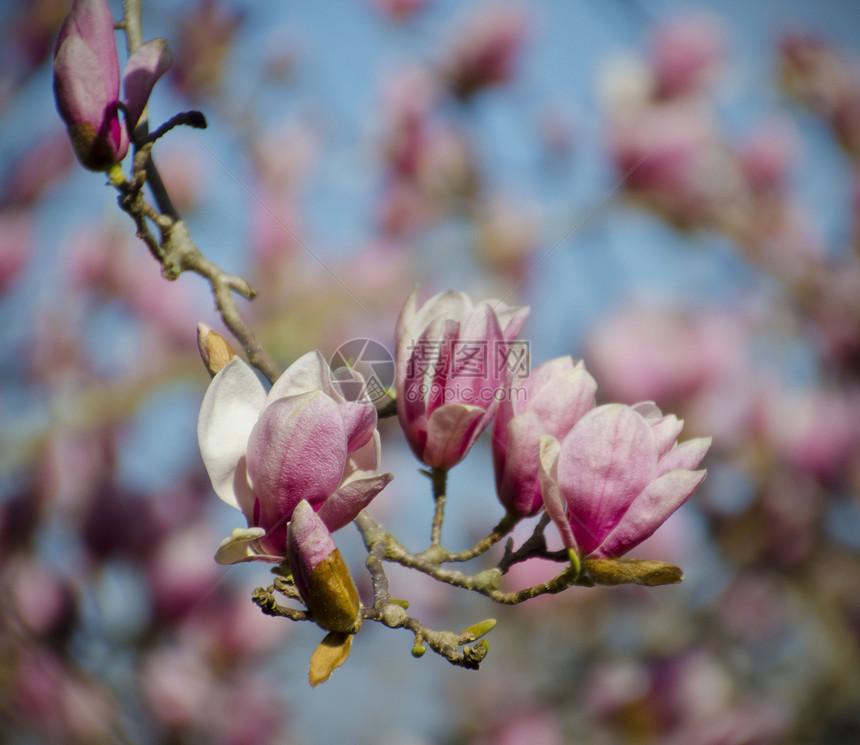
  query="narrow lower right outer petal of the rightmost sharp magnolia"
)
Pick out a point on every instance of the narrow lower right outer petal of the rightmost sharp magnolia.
point(650, 510)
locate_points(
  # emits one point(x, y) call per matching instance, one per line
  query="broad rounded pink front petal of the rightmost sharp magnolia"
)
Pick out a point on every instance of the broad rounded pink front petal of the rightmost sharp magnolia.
point(606, 461)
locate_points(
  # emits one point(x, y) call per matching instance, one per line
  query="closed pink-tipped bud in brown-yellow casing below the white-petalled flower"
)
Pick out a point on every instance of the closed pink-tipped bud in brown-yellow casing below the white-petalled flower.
point(320, 573)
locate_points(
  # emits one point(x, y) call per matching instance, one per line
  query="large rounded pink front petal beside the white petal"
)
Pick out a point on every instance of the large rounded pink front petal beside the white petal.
point(297, 450)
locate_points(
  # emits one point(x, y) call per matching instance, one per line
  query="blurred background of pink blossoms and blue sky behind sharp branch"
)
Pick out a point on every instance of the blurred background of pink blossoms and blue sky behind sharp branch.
point(673, 189)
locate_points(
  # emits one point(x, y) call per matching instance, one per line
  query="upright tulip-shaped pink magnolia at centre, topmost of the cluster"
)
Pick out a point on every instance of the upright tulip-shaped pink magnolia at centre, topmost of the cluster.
point(451, 366)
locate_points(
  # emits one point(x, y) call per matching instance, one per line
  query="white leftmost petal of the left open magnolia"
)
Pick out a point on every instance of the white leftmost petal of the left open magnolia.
point(230, 409)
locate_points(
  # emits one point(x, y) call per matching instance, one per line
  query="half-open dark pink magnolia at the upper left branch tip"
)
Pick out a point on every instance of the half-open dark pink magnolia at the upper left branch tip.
point(86, 83)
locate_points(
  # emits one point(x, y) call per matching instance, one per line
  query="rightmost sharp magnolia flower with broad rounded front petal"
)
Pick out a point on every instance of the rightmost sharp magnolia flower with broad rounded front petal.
point(617, 476)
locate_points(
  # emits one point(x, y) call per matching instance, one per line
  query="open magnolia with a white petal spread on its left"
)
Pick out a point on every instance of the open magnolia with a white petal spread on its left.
point(266, 453)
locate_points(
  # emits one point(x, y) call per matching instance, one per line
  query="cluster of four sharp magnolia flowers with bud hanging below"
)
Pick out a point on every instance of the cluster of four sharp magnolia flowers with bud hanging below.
point(302, 460)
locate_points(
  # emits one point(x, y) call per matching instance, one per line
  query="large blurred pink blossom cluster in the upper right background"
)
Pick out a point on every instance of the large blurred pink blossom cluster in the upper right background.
point(671, 156)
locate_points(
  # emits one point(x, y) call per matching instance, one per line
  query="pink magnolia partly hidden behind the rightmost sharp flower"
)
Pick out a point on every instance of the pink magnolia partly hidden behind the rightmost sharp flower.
point(550, 400)
